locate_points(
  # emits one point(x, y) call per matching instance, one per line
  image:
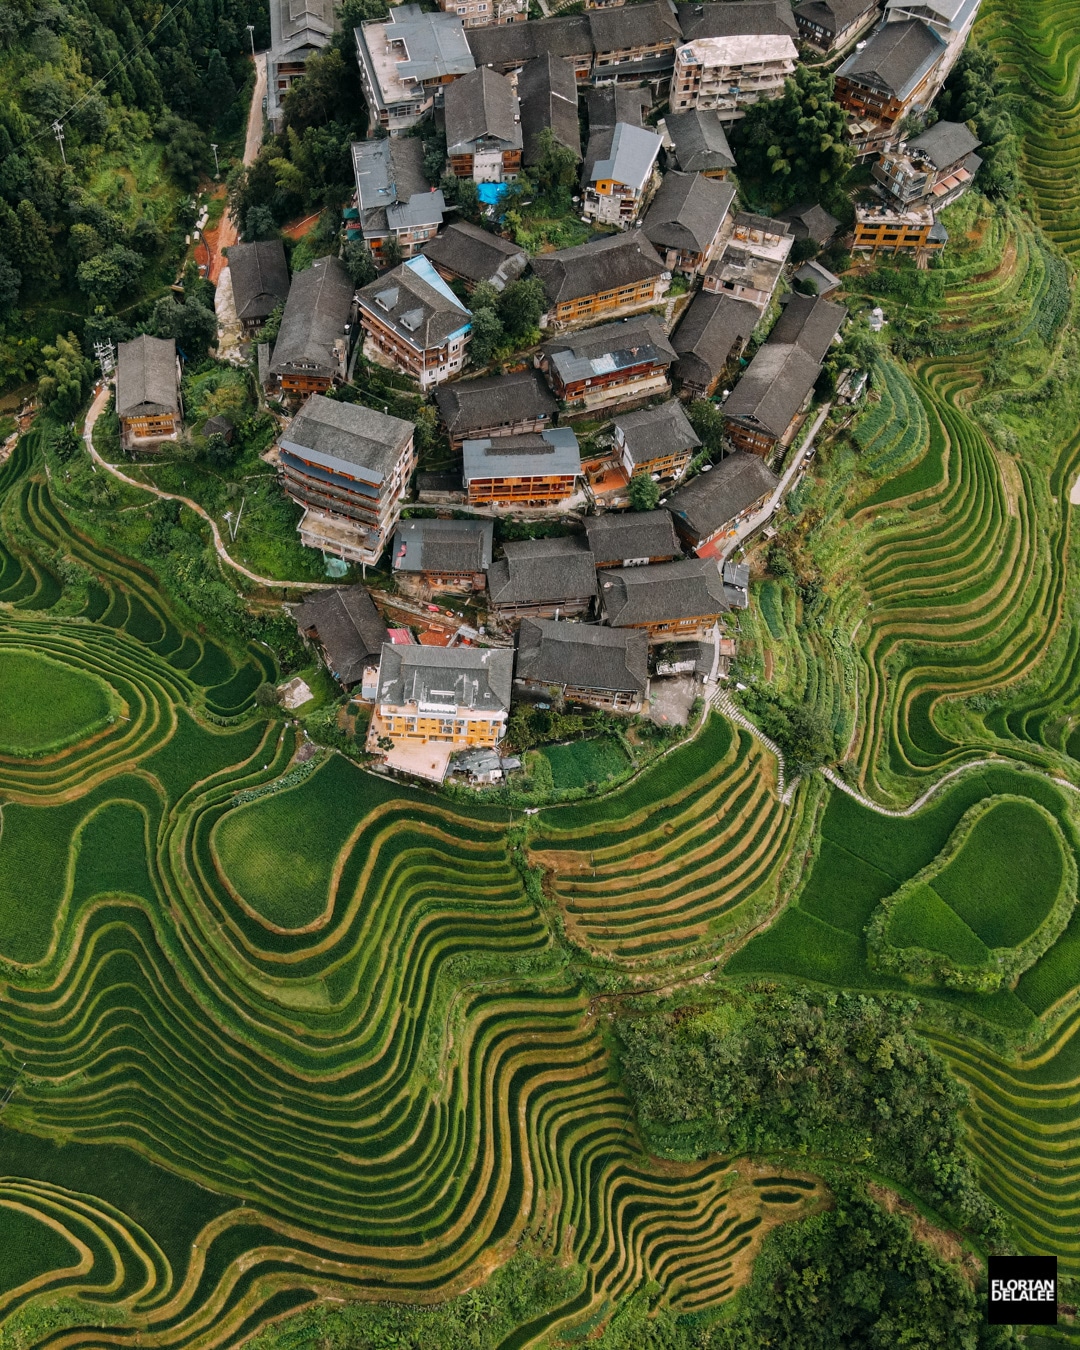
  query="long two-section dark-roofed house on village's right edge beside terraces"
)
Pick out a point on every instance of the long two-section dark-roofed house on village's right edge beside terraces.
point(766, 406)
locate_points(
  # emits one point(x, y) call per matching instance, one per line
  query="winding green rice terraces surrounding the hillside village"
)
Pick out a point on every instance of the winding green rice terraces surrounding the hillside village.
point(277, 1033)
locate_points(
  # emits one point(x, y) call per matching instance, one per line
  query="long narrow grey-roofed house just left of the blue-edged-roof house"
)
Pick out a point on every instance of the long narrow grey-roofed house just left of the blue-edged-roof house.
point(311, 352)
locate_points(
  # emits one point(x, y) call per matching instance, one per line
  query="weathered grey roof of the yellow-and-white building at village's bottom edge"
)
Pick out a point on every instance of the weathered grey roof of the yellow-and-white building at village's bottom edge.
point(480, 678)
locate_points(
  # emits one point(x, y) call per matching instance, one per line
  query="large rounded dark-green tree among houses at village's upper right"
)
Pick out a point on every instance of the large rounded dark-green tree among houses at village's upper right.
point(797, 145)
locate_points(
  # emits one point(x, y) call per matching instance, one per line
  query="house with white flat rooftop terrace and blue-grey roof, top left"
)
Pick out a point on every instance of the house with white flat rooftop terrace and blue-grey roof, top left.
point(407, 61)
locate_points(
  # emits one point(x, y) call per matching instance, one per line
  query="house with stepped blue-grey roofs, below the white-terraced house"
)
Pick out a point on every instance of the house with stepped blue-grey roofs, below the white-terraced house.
point(394, 198)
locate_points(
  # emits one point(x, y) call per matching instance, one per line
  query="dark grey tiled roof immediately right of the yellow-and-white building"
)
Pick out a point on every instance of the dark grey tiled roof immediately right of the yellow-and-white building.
point(583, 655)
